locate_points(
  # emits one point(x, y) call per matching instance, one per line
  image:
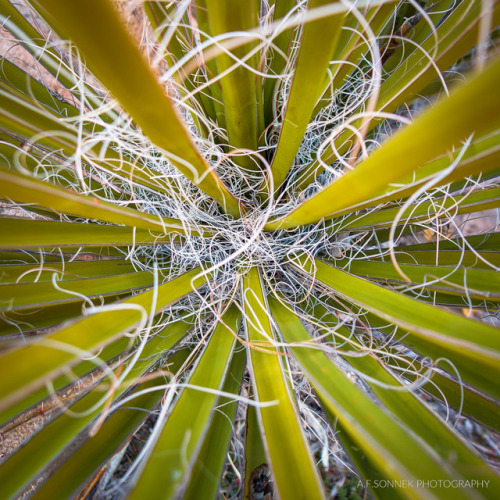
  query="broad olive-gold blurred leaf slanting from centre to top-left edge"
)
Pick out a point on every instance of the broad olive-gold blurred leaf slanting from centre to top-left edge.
point(122, 69)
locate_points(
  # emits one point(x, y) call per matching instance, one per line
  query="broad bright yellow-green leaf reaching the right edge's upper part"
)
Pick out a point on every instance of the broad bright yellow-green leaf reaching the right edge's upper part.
point(403, 150)
